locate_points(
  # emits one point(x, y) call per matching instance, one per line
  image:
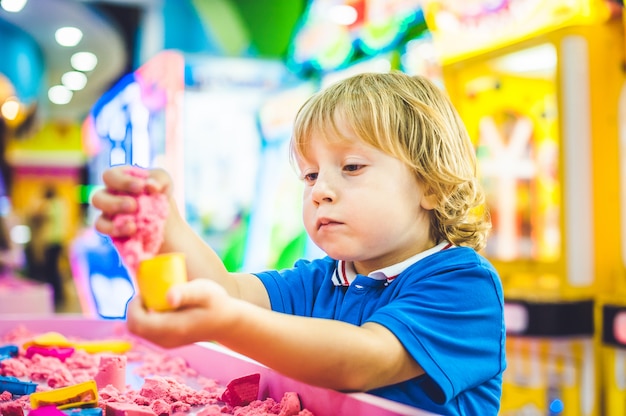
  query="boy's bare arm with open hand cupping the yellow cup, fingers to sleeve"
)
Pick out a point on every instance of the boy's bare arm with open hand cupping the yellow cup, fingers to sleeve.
point(322, 352)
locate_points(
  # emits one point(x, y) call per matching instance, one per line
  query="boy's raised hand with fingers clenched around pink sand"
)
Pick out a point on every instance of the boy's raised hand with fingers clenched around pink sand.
point(121, 184)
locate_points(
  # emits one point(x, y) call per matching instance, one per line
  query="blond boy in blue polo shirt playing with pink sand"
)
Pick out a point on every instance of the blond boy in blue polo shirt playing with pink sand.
point(403, 306)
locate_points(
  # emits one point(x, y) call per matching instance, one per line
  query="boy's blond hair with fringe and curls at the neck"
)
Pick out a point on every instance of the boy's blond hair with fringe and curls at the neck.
point(410, 118)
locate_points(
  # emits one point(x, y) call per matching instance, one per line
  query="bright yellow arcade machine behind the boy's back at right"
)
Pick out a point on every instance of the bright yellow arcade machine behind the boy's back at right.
point(535, 85)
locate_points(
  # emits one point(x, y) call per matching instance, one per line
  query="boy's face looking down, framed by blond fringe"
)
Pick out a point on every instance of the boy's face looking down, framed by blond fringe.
point(361, 204)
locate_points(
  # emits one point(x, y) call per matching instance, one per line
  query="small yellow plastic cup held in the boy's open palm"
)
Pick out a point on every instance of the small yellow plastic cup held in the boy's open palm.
point(156, 275)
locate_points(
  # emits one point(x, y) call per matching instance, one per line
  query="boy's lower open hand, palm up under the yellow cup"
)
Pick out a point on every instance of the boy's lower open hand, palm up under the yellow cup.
point(201, 310)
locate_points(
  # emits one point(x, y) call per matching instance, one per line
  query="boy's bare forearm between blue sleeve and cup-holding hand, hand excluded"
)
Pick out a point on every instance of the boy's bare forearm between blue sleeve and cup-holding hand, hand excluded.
point(323, 352)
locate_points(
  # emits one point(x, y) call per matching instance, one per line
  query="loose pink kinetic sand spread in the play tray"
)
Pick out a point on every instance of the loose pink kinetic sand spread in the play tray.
point(141, 382)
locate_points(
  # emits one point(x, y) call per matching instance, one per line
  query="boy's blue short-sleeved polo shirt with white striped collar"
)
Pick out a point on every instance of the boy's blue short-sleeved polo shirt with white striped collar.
point(445, 308)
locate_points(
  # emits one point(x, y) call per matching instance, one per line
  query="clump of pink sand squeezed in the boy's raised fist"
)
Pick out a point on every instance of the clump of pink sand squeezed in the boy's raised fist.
point(152, 209)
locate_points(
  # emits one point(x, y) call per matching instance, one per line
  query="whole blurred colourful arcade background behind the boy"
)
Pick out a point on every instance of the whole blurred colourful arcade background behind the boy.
point(208, 89)
